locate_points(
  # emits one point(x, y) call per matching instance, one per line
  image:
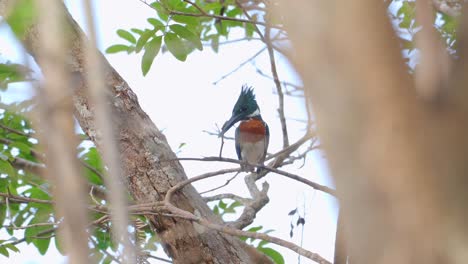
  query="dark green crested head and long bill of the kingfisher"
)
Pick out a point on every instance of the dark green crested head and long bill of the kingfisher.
point(245, 108)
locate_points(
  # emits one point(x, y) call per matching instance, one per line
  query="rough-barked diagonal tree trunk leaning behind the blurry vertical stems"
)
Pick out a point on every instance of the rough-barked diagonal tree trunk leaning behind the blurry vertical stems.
point(145, 157)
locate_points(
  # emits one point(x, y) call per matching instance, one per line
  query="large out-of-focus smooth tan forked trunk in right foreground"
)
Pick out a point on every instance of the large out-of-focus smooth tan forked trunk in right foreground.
point(399, 162)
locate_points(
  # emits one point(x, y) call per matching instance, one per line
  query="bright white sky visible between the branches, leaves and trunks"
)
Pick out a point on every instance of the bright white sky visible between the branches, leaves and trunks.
point(182, 101)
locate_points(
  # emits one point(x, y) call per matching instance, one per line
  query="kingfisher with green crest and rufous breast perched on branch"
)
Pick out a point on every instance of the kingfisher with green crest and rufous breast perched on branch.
point(252, 134)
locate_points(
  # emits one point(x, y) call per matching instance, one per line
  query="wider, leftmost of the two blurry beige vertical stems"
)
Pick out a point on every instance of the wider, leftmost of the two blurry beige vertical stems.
point(57, 132)
